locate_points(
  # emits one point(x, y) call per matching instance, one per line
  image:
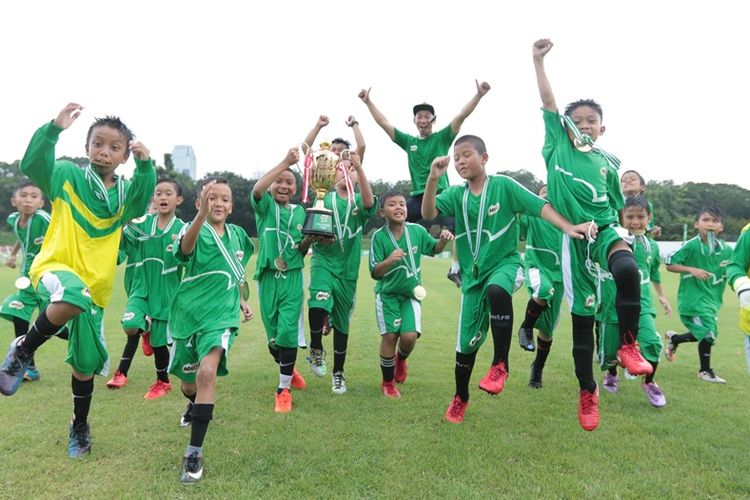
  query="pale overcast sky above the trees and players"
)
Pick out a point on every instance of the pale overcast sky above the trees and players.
point(242, 82)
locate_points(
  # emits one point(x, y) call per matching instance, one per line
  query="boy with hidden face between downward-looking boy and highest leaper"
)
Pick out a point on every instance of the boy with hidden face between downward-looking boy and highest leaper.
point(543, 279)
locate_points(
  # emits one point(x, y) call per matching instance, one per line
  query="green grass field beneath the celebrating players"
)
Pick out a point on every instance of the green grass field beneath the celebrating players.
point(523, 443)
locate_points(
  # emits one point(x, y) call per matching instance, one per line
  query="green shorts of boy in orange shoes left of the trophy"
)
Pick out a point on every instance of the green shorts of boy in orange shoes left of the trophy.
point(281, 297)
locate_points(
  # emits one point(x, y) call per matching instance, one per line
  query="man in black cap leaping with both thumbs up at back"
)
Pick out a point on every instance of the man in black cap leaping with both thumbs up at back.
point(424, 148)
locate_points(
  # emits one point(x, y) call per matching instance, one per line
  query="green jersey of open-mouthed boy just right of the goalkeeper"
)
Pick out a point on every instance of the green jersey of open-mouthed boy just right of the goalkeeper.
point(157, 272)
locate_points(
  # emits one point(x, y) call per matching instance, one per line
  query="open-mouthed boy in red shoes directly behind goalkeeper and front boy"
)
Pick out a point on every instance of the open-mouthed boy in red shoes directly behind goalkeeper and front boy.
point(156, 277)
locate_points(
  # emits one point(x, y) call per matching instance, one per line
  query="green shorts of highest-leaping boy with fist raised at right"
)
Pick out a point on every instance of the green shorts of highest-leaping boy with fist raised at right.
point(582, 264)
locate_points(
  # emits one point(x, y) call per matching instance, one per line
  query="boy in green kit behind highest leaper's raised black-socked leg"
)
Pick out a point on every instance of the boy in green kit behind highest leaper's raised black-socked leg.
point(635, 218)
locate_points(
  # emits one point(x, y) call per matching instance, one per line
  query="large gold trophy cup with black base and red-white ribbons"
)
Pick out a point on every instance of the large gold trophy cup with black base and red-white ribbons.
point(320, 173)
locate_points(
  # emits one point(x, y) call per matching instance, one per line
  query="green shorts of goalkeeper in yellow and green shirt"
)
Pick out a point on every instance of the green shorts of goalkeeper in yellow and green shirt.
point(87, 349)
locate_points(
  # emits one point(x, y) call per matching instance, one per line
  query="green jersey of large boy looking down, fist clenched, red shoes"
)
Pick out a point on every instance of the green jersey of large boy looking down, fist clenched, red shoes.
point(495, 211)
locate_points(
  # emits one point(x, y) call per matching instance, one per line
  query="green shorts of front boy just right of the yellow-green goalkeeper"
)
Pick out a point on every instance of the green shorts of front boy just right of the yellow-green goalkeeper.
point(187, 354)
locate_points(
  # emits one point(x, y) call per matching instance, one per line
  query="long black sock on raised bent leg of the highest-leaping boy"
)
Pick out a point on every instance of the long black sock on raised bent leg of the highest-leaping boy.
point(627, 278)
